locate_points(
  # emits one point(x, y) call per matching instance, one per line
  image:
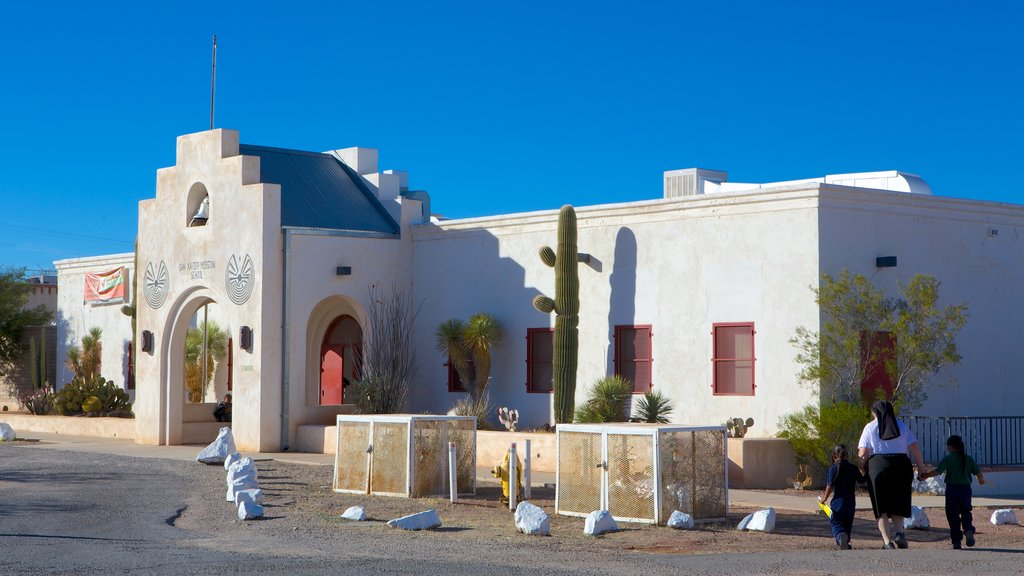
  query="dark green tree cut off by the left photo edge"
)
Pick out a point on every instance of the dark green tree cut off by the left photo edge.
point(15, 316)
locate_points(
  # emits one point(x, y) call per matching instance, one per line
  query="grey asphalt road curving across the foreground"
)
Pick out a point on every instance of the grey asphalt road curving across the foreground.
point(95, 514)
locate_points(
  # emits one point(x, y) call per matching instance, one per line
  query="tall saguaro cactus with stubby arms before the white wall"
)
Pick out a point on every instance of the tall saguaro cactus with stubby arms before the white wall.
point(567, 309)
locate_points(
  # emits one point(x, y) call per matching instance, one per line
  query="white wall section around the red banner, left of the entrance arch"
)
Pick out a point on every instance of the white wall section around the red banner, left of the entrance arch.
point(75, 319)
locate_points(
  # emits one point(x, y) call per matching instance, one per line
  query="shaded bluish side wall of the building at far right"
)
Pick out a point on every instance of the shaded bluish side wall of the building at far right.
point(951, 240)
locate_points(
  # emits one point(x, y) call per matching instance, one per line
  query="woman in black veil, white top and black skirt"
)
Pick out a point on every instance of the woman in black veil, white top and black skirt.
point(884, 449)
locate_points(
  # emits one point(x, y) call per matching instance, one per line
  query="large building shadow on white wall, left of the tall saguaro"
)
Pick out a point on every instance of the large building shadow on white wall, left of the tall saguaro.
point(492, 284)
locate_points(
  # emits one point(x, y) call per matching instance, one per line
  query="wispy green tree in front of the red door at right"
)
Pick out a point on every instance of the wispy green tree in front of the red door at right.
point(844, 356)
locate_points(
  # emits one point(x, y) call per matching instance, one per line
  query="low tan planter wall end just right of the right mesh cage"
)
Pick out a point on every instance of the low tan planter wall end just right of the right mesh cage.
point(761, 463)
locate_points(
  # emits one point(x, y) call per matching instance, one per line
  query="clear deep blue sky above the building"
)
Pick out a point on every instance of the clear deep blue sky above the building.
point(497, 108)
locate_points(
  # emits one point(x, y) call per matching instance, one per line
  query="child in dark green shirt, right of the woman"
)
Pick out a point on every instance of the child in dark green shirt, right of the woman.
point(959, 469)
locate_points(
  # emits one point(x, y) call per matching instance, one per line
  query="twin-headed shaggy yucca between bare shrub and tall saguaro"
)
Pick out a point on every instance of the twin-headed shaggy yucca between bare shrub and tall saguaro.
point(468, 347)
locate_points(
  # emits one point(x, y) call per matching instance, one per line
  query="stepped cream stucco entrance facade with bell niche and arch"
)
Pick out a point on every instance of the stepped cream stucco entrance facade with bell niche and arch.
point(245, 221)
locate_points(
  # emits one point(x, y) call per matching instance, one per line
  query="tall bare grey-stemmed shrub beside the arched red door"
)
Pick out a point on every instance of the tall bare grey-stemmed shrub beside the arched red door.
point(389, 357)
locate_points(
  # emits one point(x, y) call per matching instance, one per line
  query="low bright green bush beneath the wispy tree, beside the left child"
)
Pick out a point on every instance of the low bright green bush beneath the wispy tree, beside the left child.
point(815, 432)
